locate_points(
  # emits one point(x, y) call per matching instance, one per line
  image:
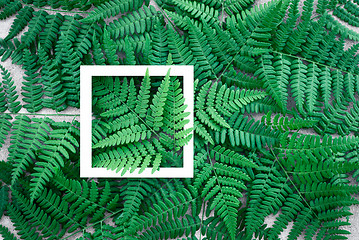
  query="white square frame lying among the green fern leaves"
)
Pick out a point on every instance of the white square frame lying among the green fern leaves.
point(86, 74)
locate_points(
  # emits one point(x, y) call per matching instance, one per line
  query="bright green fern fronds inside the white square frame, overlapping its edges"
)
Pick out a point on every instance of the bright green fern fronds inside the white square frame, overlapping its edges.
point(143, 134)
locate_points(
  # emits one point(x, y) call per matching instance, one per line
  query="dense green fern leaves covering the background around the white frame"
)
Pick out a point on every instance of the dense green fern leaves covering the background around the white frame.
point(250, 62)
